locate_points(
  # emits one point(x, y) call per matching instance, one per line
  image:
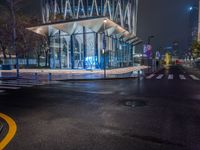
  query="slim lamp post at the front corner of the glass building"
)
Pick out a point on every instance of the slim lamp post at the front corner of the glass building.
point(104, 47)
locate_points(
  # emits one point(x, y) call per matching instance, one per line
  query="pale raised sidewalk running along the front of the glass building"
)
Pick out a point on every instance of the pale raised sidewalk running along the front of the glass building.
point(49, 74)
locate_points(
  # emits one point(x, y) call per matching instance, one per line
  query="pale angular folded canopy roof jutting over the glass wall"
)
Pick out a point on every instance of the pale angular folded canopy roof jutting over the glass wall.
point(98, 25)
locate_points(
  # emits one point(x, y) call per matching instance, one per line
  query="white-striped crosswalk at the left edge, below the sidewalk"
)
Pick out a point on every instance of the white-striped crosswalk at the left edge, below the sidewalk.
point(18, 84)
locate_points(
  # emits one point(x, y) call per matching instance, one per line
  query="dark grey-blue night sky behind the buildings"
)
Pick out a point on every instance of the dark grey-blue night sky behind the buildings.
point(167, 20)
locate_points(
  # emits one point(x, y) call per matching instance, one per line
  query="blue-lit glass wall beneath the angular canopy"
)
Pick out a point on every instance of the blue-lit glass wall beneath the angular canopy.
point(85, 49)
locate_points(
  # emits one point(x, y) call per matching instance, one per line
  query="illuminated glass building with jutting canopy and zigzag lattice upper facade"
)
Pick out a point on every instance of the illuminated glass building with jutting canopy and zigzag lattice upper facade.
point(89, 34)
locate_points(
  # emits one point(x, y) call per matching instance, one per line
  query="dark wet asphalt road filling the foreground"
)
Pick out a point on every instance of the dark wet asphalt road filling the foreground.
point(145, 114)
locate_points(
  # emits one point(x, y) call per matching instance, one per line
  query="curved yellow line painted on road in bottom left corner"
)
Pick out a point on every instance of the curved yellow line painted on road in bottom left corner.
point(11, 131)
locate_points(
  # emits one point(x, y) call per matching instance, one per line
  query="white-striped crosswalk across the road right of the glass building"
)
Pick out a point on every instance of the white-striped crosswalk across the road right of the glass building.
point(172, 77)
